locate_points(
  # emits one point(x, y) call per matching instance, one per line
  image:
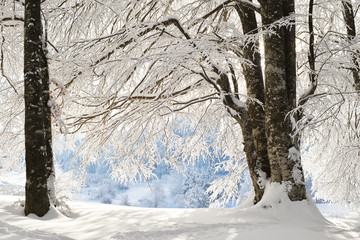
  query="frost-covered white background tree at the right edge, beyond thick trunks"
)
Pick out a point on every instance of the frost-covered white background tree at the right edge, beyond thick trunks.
point(333, 111)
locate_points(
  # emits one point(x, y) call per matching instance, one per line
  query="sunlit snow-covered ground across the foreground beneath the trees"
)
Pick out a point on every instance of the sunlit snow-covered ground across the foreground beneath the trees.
point(86, 220)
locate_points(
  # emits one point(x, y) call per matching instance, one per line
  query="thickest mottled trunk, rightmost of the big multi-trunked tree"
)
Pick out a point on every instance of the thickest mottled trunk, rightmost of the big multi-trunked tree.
point(280, 98)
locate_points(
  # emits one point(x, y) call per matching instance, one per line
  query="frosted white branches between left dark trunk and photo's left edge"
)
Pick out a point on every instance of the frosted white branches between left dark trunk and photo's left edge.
point(11, 57)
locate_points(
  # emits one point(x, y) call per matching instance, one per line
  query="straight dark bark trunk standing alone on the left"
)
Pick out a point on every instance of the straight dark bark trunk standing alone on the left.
point(38, 152)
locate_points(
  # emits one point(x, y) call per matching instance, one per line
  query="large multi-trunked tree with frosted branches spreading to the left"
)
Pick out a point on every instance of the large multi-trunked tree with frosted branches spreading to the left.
point(176, 63)
